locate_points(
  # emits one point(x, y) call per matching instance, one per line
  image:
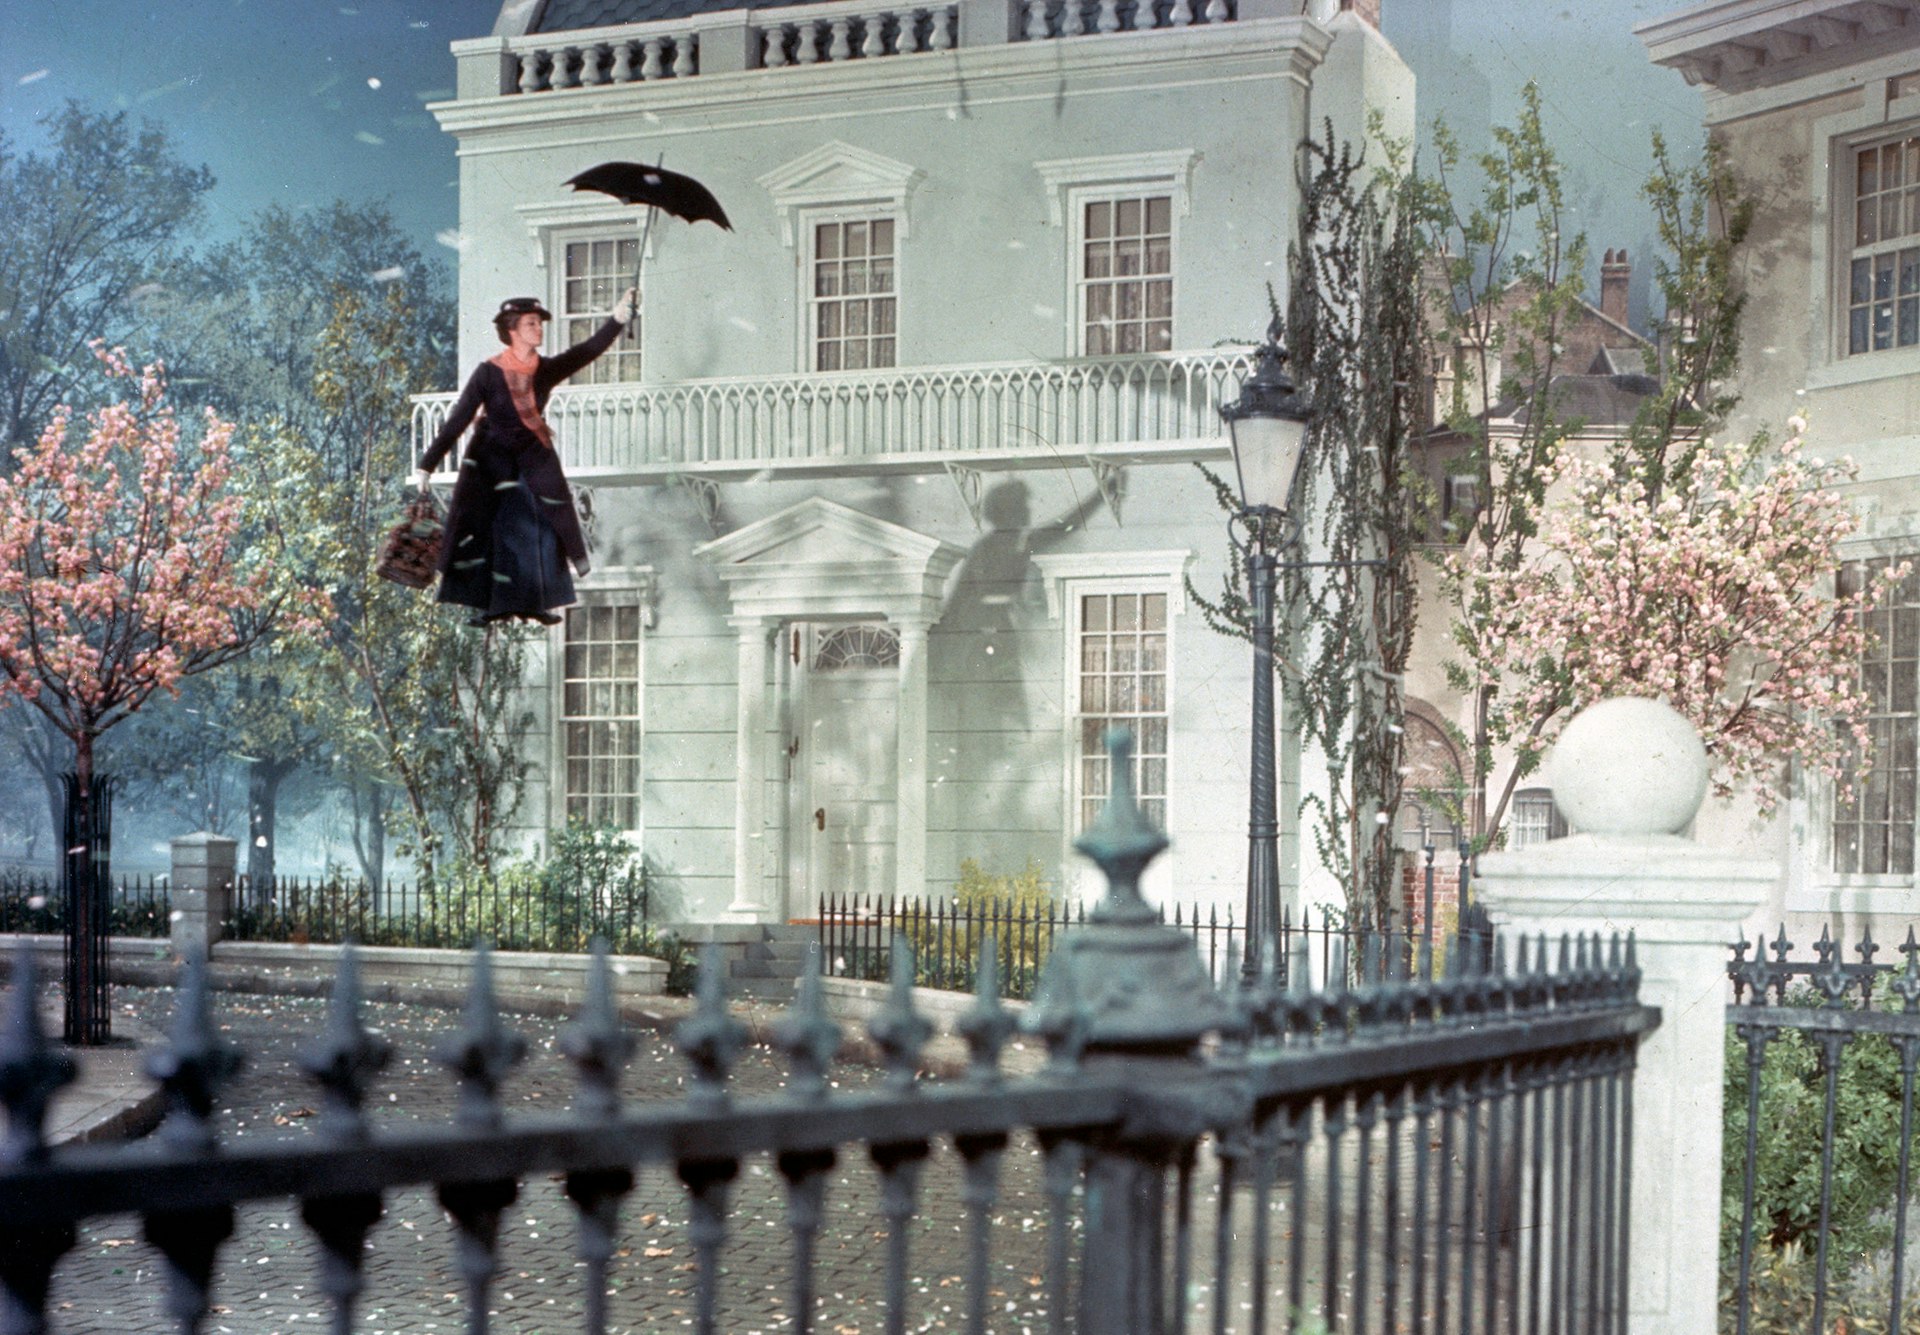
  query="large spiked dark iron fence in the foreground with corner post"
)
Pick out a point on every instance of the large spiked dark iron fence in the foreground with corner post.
point(1435, 1153)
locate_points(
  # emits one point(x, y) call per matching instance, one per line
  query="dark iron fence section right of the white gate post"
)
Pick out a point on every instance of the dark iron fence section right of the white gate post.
point(1821, 1136)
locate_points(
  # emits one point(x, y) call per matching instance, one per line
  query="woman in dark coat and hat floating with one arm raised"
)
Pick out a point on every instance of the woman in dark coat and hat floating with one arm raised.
point(512, 523)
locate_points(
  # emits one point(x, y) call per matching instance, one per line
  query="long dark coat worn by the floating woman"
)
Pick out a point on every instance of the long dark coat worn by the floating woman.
point(485, 562)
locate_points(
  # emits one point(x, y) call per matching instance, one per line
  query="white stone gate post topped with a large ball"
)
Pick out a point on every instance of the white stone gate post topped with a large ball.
point(1631, 775)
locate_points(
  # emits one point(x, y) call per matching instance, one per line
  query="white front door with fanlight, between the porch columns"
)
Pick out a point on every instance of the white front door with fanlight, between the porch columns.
point(848, 750)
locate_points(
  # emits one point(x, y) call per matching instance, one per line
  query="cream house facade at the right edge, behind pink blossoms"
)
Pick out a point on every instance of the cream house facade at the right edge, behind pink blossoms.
point(1819, 109)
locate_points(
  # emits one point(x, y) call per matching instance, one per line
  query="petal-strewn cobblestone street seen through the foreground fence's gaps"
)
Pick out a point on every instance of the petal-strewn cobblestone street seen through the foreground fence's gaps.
point(112, 1282)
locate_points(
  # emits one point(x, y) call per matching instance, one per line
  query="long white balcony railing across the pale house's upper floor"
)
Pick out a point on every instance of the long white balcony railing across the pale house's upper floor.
point(898, 418)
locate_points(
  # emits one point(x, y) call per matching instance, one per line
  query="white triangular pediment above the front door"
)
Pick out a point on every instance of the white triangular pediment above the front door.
point(825, 560)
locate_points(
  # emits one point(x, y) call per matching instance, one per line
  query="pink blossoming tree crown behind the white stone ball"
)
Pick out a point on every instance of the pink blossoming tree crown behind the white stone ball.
point(1712, 595)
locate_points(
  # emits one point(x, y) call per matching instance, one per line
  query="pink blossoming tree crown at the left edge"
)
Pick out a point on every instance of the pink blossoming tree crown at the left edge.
point(120, 570)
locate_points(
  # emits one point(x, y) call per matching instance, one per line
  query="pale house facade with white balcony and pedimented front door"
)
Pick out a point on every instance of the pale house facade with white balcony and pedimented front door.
point(892, 491)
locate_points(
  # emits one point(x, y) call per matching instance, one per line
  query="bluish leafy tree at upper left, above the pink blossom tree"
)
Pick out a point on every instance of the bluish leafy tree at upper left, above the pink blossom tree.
point(95, 226)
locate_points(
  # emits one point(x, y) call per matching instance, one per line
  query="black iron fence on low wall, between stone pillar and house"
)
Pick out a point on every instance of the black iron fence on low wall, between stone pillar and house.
point(517, 911)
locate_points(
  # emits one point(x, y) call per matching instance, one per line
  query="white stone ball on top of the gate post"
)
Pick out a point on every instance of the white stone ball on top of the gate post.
point(1629, 765)
